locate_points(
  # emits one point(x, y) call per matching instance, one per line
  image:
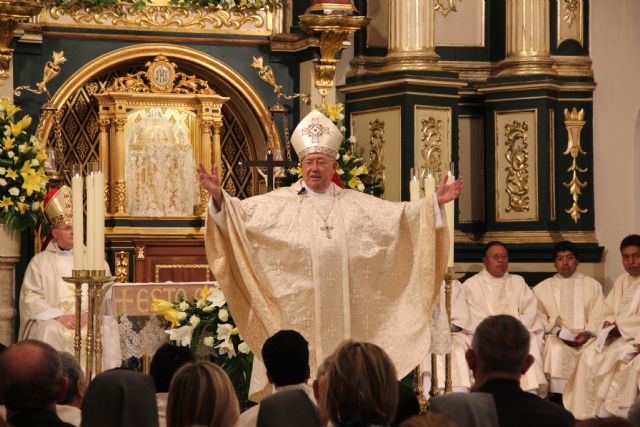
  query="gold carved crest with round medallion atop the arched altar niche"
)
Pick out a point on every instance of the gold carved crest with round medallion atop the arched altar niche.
point(161, 76)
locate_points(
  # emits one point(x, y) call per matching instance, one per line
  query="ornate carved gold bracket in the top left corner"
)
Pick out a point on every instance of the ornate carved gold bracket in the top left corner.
point(11, 14)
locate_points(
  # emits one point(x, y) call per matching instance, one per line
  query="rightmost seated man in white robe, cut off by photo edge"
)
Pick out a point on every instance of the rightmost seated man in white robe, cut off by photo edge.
point(606, 379)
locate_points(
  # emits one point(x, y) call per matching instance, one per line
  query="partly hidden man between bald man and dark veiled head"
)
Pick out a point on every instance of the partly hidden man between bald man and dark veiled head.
point(69, 406)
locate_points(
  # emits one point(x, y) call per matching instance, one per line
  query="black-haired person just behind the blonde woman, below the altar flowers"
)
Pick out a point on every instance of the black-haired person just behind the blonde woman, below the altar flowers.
point(165, 362)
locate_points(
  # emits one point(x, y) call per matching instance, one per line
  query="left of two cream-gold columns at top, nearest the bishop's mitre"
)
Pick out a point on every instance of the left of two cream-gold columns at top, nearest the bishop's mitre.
point(411, 36)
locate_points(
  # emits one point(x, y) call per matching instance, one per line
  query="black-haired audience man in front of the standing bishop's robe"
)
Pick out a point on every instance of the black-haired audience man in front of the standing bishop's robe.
point(286, 356)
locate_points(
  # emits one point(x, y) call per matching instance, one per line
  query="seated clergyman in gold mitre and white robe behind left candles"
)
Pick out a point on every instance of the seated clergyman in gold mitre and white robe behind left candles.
point(47, 303)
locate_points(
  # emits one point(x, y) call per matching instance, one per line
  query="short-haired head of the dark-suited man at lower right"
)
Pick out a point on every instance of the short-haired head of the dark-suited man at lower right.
point(500, 349)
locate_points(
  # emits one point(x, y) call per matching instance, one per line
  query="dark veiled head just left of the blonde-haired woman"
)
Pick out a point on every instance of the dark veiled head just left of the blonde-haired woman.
point(120, 397)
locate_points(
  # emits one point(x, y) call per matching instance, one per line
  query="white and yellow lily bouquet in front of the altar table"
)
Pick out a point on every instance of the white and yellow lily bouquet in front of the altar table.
point(205, 325)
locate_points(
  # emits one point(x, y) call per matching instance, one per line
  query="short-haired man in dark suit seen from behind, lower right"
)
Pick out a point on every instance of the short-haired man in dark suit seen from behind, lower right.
point(499, 357)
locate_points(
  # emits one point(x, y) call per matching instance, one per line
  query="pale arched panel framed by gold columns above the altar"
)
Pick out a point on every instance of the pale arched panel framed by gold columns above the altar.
point(161, 172)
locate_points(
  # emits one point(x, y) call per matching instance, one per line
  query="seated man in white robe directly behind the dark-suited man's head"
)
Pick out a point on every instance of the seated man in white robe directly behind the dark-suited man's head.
point(495, 291)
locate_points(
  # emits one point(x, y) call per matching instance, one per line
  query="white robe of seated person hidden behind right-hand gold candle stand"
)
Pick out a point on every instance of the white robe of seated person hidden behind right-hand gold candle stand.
point(456, 342)
